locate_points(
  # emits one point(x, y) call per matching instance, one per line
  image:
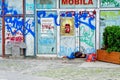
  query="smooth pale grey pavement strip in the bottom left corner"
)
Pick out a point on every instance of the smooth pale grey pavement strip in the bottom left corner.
point(8, 75)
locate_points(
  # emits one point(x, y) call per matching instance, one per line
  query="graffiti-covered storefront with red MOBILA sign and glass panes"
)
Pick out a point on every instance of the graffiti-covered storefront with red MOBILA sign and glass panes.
point(56, 27)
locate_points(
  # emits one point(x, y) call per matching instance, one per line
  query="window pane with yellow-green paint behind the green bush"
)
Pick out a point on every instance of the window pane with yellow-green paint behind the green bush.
point(108, 18)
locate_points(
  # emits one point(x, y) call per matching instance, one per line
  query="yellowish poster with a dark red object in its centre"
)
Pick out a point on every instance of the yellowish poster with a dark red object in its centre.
point(67, 26)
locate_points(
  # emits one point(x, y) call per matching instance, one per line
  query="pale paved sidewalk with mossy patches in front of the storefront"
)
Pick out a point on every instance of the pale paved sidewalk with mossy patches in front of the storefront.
point(57, 69)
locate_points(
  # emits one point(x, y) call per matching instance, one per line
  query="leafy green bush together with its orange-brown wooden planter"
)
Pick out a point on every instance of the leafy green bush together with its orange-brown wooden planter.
point(111, 41)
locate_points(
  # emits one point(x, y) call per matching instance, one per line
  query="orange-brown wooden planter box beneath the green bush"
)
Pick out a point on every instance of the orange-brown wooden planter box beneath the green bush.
point(113, 57)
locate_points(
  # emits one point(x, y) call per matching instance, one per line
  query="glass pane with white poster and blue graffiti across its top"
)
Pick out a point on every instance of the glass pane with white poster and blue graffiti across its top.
point(47, 31)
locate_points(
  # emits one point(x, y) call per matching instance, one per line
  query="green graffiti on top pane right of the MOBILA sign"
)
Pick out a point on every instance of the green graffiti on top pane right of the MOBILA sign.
point(110, 3)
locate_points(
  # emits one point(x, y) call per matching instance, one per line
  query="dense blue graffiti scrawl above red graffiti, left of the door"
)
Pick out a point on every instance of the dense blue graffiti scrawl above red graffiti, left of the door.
point(14, 25)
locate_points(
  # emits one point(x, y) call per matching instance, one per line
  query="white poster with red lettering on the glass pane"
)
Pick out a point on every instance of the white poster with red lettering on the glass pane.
point(47, 25)
